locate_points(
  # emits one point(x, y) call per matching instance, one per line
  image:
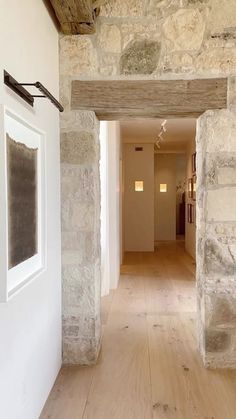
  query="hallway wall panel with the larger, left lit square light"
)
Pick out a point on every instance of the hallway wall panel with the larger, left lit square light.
point(139, 206)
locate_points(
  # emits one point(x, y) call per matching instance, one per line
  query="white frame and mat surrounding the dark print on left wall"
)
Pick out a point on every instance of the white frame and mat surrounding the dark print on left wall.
point(13, 279)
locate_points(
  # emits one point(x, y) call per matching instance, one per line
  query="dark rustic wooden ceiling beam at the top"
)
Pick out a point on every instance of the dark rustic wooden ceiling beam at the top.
point(76, 16)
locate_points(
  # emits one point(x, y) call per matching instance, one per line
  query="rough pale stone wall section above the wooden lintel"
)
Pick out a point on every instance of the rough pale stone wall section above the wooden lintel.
point(155, 38)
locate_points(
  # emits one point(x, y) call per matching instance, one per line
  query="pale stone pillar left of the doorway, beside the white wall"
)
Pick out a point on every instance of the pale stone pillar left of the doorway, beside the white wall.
point(80, 212)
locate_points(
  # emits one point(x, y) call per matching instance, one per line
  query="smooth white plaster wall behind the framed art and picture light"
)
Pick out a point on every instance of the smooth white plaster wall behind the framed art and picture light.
point(30, 323)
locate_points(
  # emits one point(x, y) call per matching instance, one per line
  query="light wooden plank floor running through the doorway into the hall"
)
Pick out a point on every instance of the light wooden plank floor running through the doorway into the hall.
point(149, 367)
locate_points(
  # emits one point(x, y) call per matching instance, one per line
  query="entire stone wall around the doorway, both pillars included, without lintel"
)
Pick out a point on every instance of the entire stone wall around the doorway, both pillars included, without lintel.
point(152, 39)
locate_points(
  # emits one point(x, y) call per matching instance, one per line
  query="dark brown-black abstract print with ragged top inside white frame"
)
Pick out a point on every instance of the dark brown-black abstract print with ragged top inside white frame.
point(22, 202)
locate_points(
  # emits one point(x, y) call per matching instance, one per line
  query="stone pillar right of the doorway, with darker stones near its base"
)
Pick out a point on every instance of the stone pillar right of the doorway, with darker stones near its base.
point(216, 237)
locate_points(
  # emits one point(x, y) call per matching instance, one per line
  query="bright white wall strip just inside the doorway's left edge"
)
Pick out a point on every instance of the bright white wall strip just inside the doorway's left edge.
point(110, 204)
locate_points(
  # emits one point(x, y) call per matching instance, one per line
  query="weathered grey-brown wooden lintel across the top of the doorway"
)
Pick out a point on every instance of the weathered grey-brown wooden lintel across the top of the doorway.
point(120, 99)
